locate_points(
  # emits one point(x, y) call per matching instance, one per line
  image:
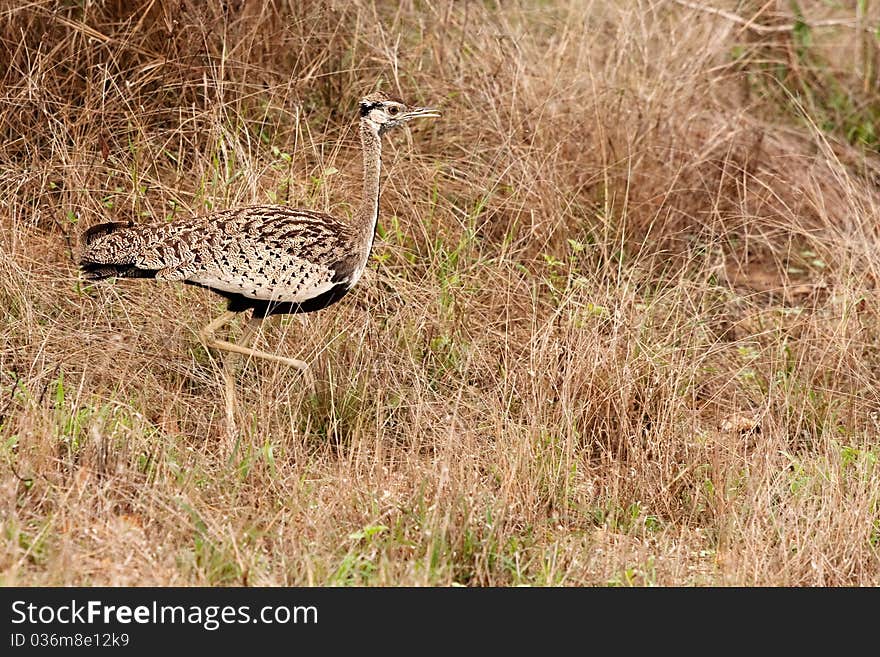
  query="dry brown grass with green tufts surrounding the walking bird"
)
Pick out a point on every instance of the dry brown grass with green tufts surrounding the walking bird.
point(622, 325)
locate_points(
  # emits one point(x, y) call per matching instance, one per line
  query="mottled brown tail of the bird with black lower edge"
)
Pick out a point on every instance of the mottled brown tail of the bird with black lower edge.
point(111, 249)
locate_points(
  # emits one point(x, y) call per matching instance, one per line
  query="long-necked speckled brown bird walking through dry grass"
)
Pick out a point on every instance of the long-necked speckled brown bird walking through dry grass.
point(269, 259)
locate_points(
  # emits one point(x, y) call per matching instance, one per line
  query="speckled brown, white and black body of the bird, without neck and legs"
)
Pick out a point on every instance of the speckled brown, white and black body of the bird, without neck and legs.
point(271, 258)
